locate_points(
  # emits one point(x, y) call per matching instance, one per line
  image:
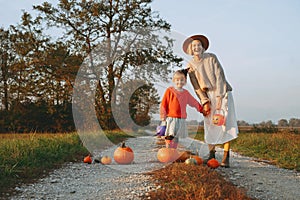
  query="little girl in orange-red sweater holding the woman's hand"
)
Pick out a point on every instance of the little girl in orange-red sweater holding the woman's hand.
point(173, 108)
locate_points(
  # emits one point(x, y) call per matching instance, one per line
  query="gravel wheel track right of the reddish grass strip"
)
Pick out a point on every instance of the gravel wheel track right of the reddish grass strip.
point(262, 180)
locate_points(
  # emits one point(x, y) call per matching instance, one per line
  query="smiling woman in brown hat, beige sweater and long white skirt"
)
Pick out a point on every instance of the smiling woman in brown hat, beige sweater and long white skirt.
point(209, 82)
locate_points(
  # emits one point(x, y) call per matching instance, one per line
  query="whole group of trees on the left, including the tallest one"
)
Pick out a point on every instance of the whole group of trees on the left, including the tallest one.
point(116, 42)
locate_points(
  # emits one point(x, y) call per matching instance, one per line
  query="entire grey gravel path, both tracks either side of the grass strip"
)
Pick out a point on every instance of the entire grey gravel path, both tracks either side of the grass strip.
point(96, 181)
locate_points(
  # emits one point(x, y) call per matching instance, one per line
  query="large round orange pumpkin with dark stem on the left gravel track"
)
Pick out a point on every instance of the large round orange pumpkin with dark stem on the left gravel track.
point(123, 154)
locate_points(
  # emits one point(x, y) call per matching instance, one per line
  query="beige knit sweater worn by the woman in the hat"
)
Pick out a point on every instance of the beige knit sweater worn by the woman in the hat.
point(208, 75)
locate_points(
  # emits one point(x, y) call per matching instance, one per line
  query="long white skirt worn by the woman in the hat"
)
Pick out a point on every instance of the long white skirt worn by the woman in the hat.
point(215, 133)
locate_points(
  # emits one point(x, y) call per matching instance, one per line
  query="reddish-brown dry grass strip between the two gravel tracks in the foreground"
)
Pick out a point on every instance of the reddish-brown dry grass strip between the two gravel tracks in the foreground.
point(182, 181)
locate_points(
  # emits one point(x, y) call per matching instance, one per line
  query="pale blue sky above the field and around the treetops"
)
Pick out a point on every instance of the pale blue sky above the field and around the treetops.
point(256, 41)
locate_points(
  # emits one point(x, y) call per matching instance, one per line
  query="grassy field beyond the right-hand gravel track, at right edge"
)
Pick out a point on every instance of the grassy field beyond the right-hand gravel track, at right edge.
point(279, 148)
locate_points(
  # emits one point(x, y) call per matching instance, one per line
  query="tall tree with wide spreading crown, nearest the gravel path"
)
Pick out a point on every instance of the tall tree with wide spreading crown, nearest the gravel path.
point(121, 41)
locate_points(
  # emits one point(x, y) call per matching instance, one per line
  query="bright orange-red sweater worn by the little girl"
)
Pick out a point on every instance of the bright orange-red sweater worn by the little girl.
point(174, 103)
